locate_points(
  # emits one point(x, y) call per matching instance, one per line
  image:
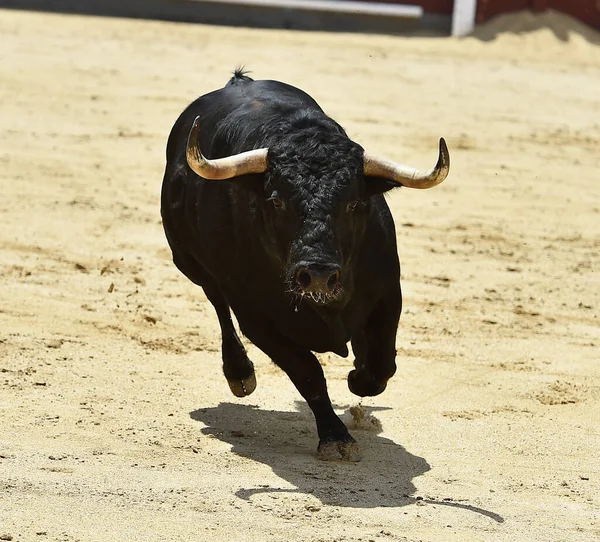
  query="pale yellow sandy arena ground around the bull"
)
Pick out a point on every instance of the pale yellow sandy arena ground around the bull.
point(116, 422)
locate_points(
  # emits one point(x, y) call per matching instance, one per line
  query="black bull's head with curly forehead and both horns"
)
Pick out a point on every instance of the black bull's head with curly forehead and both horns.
point(315, 209)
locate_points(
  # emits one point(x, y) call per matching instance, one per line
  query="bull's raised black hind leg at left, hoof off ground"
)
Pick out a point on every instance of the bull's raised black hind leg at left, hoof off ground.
point(238, 369)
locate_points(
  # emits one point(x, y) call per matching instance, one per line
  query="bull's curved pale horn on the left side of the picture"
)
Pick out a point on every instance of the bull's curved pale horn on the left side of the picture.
point(222, 168)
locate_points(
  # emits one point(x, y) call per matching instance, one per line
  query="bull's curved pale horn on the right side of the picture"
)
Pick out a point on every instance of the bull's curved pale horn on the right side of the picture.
point(408, 176)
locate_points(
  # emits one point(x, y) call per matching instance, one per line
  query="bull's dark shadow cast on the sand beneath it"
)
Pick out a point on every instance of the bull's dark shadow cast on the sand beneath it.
point(286, 442)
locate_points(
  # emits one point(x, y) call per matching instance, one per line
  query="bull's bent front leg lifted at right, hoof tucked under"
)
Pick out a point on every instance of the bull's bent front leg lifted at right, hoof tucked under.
point(375, 347)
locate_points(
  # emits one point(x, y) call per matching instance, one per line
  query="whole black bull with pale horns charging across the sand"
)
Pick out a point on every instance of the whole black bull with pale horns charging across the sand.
point(295, 237)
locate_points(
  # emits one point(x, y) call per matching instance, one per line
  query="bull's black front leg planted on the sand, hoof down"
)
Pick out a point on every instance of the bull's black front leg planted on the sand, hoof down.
point(306, 373)
